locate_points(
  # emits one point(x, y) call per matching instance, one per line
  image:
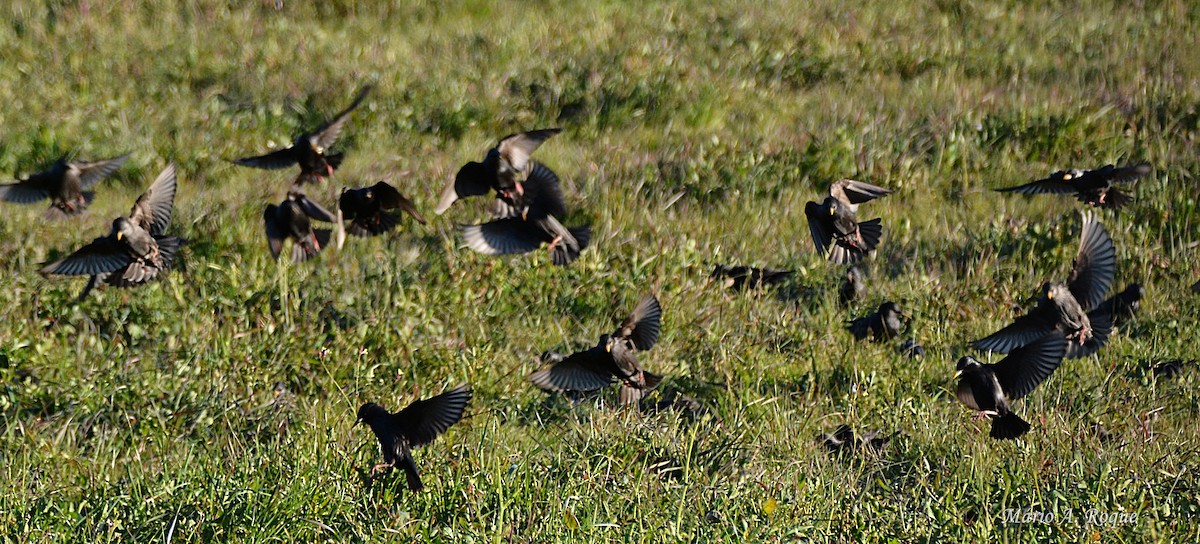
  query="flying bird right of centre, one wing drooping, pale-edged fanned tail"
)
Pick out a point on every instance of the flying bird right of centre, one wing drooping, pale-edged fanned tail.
point(833, 224)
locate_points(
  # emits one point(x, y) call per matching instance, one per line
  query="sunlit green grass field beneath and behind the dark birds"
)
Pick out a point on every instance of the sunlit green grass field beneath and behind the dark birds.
point(218, 406)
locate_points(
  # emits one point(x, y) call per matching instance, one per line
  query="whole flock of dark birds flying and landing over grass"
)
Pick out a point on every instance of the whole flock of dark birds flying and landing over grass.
point(1072, 319)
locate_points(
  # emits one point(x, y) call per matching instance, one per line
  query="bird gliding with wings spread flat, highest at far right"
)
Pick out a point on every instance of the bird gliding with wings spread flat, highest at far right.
point(1094, 188)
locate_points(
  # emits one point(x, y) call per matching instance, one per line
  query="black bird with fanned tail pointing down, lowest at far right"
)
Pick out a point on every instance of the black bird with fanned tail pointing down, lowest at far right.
point(991, 388)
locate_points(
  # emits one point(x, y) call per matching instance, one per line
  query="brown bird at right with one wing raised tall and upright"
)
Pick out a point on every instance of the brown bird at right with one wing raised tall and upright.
point(1075, 309)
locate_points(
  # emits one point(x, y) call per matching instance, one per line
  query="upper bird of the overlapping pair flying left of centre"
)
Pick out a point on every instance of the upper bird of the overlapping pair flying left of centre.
point(505, 170)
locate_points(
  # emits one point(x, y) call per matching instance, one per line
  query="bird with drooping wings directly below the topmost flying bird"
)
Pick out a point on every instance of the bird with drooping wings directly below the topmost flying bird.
point(291, 220)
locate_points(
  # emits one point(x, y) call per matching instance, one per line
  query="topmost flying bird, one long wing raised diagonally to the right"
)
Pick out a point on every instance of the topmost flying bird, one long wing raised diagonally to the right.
point(310, 151)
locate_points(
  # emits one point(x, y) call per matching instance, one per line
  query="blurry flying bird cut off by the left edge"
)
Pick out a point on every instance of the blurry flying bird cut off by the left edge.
point(65, 183)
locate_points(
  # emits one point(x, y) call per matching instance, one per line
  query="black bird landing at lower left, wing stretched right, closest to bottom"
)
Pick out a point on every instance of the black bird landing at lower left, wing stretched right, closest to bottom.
point(416, 426)
